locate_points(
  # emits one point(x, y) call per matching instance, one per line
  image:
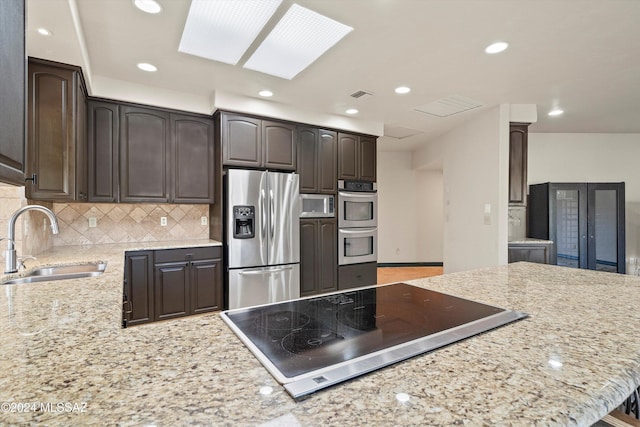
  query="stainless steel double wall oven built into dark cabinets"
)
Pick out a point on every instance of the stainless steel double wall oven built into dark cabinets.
point(357, 222)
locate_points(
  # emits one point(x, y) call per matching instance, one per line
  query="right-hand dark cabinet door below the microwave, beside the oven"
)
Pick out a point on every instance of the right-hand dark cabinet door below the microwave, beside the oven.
point(327, 255)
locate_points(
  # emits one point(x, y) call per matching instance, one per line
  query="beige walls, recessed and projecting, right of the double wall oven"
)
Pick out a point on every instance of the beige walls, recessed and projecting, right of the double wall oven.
point(454, 178)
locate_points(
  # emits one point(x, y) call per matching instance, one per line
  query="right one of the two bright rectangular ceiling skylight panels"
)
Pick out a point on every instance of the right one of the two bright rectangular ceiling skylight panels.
point(300, 38)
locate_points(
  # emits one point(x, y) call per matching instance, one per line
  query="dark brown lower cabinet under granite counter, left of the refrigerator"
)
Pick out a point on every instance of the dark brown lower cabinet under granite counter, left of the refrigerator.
point(177, 282)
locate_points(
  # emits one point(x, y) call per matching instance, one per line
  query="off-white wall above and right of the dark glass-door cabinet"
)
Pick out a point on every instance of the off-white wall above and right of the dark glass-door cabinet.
point(564, 157)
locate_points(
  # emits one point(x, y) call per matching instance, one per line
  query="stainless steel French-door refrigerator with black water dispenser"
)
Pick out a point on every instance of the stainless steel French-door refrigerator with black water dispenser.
point(263, 237)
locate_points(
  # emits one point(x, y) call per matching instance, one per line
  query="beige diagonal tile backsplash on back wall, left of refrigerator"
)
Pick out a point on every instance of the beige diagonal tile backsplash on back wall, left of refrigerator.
point(119, 223)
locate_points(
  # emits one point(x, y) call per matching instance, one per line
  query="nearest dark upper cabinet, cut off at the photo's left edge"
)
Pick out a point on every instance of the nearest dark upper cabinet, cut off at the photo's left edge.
point(13, 89)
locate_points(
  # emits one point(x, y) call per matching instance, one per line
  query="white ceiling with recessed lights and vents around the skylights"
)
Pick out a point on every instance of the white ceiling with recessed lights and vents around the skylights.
point(583, 55)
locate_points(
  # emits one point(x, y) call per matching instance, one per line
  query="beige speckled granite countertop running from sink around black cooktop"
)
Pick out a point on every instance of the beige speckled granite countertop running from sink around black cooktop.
point(573, 360)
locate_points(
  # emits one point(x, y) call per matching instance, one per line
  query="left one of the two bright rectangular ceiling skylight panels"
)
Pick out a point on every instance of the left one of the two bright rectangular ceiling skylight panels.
point(224, 30)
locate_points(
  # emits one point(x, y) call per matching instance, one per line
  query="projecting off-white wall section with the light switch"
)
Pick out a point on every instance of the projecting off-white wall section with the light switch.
point(475, 169)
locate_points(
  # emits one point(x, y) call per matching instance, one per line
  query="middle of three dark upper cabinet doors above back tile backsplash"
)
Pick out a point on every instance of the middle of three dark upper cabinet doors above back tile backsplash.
point(144, 147)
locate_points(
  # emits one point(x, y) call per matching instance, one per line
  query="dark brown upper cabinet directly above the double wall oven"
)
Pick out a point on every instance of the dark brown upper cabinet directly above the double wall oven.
point(356, 157)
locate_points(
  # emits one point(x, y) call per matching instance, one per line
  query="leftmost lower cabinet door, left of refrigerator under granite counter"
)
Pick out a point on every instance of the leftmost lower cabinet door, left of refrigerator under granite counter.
point(138, 288)
